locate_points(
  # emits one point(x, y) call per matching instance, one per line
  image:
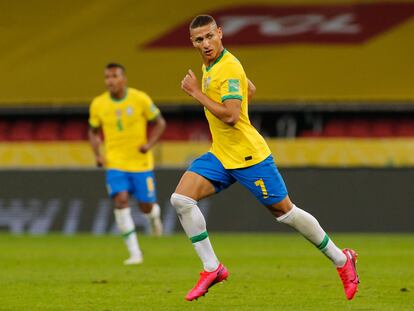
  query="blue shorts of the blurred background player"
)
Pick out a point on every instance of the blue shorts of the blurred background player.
point(140, 184)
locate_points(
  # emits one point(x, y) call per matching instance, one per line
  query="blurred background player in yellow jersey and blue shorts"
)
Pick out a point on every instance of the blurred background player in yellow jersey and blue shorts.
point(123, 113)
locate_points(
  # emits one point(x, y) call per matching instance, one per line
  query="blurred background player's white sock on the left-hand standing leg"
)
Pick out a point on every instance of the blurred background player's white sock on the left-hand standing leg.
point(126, 226)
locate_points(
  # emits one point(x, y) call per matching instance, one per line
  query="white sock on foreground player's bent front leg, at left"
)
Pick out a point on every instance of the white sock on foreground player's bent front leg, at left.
point(194, 226)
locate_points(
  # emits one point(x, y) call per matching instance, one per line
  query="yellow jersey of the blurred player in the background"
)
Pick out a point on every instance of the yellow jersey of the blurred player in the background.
point(124, 124)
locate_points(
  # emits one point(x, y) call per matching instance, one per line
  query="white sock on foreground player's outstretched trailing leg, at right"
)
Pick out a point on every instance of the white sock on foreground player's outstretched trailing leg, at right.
point(309, 227)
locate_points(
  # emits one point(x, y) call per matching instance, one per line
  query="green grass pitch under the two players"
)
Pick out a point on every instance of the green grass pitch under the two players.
point(267, 272)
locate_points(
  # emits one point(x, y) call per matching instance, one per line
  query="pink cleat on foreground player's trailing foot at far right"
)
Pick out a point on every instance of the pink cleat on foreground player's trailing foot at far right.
point(348, 274)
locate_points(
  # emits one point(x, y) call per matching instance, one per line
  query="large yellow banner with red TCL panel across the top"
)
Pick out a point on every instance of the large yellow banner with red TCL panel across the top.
point(294, 51)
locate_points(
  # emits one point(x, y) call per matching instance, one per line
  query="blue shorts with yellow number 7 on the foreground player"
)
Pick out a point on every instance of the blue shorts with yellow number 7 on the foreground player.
point(263, 179)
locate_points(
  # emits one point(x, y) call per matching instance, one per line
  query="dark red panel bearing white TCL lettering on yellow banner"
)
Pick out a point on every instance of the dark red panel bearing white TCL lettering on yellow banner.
point(317, 24)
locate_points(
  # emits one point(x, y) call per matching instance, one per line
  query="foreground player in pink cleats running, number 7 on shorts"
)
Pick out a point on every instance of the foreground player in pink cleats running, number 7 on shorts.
point(238, 153)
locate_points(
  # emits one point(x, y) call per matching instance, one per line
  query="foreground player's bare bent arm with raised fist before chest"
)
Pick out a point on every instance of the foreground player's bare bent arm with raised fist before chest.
point(228, 112)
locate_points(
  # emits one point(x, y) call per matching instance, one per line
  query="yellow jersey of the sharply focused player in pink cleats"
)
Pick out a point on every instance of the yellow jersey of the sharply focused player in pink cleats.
point(240, 145)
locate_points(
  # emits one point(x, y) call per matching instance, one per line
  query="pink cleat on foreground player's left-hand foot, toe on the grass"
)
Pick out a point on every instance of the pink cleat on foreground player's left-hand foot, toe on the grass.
point(207, 279)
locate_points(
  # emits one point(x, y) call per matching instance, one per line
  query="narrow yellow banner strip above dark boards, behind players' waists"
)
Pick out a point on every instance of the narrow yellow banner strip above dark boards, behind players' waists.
point(287, 152)
